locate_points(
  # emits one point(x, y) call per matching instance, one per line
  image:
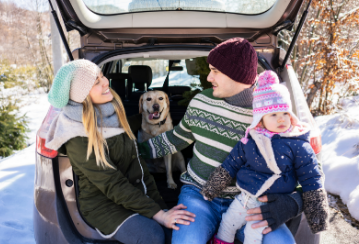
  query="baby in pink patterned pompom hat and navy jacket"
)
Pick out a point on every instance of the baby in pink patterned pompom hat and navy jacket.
point(273, 157)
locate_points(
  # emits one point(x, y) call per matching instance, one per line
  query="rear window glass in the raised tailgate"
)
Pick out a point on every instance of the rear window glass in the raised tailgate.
point(228, 6)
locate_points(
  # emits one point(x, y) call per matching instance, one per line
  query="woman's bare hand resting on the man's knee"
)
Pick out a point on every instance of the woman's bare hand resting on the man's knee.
point(175, 215)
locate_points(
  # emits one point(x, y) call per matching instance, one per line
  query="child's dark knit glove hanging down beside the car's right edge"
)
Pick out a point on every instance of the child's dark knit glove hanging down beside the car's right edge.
point(316, 209)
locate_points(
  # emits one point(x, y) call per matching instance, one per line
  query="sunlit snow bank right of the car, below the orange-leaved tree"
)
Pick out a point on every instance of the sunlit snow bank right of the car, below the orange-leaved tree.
point(340, 153)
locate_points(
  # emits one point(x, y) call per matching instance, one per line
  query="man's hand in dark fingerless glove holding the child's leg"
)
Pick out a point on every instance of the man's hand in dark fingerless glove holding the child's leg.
point(279, 209)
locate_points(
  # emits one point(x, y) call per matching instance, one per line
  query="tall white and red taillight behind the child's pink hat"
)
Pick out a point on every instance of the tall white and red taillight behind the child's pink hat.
point(302, 111)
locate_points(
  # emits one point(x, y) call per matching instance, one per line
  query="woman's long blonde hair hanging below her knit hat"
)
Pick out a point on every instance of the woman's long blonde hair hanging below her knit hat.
point(96, 141)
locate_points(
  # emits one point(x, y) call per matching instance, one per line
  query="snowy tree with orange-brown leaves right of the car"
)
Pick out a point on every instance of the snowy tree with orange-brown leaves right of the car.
point(325, 57)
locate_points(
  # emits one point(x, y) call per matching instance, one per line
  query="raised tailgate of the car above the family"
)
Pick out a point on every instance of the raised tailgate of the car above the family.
point(175, 24)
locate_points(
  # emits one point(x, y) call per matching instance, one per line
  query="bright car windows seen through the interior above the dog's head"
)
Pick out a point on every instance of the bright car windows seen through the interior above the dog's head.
point(178, 75)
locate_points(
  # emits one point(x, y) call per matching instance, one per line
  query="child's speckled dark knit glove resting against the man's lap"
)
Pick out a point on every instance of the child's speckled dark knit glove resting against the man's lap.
point(217, 181)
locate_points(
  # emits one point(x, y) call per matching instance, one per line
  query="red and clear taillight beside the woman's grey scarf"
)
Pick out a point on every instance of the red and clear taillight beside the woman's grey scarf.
point(41, 134)
